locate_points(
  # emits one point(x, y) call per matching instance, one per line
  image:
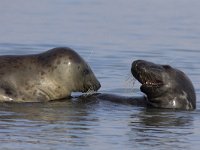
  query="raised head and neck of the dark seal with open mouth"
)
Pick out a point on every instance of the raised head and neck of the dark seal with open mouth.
point(164, 86)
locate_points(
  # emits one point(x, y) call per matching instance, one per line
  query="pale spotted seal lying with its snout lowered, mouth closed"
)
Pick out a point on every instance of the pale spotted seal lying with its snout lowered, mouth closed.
point(51, 75)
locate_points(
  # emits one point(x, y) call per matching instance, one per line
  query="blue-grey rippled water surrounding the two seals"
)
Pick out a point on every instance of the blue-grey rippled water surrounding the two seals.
point(109, 35)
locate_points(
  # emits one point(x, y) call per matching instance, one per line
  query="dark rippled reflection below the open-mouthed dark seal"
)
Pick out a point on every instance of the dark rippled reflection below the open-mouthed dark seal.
point(161, 128)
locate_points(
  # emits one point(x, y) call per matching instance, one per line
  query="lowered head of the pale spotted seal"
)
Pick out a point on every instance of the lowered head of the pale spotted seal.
point(70, 68)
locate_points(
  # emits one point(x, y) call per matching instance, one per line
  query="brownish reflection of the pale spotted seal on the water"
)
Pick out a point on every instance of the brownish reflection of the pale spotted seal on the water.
point(48, 112)
